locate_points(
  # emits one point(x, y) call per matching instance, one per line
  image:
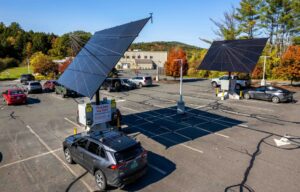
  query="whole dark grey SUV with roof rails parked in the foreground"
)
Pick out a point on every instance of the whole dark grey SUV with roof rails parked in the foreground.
point(112, 157)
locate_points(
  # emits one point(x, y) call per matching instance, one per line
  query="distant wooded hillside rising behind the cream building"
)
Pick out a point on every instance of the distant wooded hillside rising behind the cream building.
point(163, 46)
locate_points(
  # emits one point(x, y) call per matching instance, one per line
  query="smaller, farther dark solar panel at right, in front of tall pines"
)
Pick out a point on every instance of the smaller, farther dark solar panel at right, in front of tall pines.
point(233, 55)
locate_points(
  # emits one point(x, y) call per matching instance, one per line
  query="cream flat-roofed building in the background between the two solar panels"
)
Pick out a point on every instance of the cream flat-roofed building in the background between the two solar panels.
point(137, 59)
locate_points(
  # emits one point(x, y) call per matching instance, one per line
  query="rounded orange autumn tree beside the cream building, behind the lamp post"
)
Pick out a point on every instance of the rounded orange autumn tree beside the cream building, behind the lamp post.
point(172, 65)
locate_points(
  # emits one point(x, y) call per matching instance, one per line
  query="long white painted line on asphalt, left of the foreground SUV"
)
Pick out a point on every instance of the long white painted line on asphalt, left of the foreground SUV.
point(57, 157)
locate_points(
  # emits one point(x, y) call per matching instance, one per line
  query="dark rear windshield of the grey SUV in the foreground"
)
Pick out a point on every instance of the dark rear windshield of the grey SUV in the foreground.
point(129, 153)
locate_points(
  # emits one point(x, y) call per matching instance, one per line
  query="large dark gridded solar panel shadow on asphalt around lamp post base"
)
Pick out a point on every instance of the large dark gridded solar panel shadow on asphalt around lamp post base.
point(169, 138)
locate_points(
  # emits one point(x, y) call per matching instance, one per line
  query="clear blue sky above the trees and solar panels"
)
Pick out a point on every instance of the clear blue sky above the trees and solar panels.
point(174, 20)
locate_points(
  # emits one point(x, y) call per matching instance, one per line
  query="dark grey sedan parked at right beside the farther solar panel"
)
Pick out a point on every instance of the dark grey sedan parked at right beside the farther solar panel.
point(269, 93)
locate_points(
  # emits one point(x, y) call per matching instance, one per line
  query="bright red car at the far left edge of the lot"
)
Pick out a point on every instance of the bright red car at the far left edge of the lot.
point(14, 96)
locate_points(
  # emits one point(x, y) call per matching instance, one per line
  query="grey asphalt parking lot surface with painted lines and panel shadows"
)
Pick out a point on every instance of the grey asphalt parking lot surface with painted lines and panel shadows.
point(231, 145)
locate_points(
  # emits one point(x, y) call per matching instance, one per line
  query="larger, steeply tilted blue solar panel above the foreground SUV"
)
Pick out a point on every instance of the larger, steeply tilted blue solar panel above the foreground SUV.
point(99, 55)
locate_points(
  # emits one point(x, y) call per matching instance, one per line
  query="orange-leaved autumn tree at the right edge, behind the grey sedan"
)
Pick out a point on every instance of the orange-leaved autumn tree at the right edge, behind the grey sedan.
point(289, 67)
